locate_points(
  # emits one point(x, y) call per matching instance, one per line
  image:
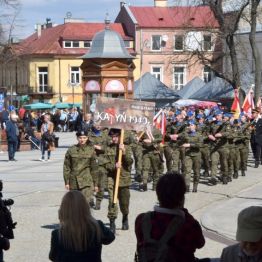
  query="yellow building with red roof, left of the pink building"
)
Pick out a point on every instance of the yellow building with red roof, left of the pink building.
point(45, 67)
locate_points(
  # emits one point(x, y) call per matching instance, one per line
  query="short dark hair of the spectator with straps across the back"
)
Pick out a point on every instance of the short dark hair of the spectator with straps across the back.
point(170, 190)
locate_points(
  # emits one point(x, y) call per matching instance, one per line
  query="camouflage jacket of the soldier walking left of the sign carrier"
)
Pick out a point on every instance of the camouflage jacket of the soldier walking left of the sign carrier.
point(77, 166)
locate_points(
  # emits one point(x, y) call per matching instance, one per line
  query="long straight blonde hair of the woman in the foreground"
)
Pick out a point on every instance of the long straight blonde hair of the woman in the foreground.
point(78, 229)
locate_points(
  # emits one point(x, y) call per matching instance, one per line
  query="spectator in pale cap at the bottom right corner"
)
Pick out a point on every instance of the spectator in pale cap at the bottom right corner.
point(249, 235)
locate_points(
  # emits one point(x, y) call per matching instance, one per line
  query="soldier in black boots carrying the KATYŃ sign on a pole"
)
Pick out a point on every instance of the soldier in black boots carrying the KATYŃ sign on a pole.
point(111, 153)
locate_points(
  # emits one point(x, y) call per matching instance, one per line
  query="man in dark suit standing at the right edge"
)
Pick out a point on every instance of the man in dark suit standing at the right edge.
point(257, 134)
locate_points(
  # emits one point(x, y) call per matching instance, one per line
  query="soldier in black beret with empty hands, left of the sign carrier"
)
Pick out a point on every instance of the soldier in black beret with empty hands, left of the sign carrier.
point(78, 162)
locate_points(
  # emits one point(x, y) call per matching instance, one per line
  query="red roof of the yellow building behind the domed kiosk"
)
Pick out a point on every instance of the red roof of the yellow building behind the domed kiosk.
point(50, 41)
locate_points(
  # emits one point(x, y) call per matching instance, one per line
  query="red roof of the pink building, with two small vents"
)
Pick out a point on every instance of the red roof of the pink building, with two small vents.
point(174, 17)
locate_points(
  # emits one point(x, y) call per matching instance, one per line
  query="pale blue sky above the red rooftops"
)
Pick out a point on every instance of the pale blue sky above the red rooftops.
point(36, 11)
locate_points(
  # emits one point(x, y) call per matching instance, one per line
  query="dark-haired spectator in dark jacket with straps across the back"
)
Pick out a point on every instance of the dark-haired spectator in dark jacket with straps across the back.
point(188, 236)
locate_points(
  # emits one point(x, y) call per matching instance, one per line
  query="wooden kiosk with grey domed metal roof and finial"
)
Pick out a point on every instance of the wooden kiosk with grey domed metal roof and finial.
point(107, 69)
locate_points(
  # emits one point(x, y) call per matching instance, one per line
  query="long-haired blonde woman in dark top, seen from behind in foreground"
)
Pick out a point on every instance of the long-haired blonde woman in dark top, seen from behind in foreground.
point(79, 237)
